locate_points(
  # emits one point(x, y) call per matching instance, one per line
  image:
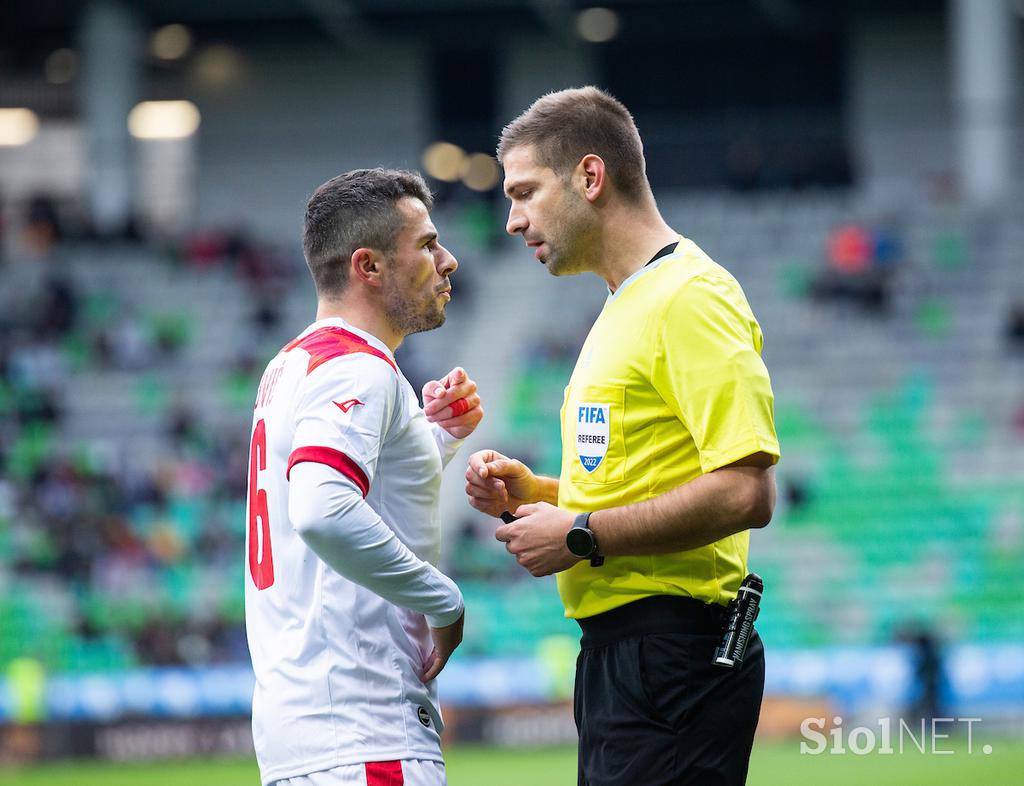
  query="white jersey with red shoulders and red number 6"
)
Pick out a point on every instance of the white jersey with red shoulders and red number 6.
point(337, 666)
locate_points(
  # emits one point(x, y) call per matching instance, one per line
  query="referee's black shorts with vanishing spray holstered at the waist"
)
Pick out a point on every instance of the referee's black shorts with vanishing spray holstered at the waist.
point(651, 708)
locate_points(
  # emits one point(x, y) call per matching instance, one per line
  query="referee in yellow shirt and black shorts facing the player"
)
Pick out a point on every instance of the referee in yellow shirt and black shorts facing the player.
point(668, 448)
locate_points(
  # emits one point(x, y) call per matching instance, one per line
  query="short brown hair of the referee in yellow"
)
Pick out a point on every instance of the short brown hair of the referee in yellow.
point(565, 126)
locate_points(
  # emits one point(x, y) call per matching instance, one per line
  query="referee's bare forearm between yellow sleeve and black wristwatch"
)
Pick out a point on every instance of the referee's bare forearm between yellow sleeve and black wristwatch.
point(706, 510)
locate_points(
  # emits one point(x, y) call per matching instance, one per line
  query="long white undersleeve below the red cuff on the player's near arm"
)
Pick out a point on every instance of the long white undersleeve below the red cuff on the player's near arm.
point(331, 516)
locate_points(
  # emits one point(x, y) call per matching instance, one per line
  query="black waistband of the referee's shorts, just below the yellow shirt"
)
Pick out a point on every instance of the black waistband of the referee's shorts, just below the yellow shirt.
point(657, 615)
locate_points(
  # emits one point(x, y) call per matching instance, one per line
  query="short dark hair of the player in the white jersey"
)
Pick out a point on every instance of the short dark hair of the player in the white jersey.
point(358, 209)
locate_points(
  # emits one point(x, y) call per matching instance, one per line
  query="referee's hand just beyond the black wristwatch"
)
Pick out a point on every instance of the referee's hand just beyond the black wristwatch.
point(537, 539)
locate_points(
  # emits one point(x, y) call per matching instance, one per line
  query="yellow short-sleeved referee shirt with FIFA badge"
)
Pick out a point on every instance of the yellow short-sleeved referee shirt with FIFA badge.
point(669, 385)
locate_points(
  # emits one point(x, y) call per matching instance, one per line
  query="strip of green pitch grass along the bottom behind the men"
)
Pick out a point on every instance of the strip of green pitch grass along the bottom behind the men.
point(774, 764)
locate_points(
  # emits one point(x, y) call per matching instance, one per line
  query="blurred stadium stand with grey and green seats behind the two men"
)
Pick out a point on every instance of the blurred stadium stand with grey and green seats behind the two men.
point(127, 373)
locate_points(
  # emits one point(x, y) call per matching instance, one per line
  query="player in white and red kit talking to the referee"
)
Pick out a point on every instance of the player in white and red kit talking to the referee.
point(348, 619)
